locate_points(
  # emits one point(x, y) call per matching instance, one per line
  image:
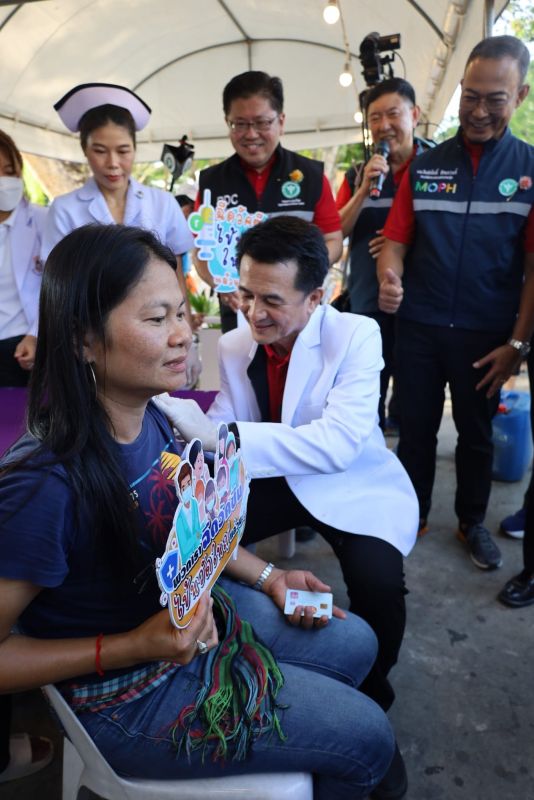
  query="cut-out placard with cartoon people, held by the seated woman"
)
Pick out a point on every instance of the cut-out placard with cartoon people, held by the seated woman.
point(207, 526)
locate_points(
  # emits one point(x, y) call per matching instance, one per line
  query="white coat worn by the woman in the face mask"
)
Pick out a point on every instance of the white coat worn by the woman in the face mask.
point(25, 242)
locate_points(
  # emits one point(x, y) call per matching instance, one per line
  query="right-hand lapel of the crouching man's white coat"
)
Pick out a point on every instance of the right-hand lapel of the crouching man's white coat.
point(304, 355)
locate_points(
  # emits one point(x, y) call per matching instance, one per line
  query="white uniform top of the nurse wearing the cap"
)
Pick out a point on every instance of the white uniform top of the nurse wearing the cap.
point(146, 207)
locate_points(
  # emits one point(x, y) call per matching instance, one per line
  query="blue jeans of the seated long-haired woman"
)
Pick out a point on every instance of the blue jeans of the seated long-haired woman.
point(332, 730)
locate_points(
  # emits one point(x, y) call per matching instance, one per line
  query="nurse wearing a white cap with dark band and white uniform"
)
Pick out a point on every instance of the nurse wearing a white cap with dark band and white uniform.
point(107, 118)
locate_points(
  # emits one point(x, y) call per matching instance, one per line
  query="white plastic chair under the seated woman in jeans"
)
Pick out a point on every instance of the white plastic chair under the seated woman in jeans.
point(85, 768)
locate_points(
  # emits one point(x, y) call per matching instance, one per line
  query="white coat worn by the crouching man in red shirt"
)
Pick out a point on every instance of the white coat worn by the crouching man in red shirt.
point(328, 445)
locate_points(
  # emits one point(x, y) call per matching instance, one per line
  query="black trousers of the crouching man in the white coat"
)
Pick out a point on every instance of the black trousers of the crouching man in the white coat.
point(372, 570)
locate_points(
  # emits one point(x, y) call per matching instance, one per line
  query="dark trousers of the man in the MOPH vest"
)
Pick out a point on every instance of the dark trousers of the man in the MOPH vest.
point(427, 357)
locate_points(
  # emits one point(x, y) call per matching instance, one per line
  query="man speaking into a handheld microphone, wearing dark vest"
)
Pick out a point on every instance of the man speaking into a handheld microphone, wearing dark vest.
point(366, 195)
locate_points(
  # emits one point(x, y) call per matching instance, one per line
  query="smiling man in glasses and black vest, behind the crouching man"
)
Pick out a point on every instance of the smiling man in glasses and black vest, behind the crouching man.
point(264, 176)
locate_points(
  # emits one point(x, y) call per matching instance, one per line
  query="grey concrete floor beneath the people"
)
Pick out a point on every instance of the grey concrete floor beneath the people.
point(464, 714)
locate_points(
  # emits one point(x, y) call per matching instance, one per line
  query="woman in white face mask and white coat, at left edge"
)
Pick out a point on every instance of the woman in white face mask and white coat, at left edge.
point(21, 232)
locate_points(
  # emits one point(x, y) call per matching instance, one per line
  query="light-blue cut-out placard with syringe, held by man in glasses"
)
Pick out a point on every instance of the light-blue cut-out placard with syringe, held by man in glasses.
point(217, 233)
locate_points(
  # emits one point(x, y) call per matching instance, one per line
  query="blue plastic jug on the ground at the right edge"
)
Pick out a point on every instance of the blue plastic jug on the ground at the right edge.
point(512, 437)
